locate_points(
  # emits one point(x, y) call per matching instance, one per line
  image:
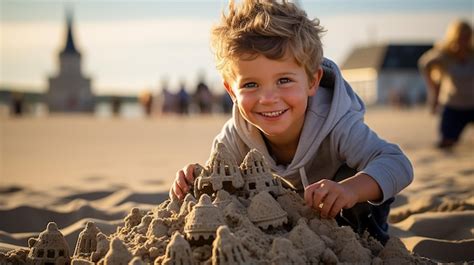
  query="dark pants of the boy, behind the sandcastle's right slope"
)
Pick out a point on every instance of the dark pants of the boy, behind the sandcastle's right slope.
point(364, 216)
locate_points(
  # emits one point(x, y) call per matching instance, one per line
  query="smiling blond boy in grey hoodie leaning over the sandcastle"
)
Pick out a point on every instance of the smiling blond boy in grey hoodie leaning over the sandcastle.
point(297, 110)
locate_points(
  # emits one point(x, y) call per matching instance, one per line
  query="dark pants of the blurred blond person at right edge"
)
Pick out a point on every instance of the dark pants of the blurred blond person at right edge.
point(453, 122)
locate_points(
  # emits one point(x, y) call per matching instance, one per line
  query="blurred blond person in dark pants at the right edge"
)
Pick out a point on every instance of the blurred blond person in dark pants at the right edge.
point(448, 69)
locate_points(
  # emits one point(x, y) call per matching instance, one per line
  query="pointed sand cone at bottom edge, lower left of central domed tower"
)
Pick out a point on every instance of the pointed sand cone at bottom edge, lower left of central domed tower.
point(178, 251)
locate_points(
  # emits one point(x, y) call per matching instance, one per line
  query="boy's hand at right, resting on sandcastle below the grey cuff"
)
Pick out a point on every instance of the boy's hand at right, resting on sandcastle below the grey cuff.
point(330, 197)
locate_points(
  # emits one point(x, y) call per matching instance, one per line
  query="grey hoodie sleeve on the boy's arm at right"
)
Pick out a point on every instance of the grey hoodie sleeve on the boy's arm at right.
point(362, 149)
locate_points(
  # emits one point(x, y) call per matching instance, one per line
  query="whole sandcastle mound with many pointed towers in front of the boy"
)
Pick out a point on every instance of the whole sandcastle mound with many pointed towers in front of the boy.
point(235, 215)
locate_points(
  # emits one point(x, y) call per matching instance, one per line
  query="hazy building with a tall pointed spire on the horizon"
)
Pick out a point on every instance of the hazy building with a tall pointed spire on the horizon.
point(69, 90)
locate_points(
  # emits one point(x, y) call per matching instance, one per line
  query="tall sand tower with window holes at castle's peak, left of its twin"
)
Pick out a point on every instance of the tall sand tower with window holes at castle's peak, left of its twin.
point(222, 173)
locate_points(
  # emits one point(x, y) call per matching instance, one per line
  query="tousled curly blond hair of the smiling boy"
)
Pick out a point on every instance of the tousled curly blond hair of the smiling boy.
point(269, 28)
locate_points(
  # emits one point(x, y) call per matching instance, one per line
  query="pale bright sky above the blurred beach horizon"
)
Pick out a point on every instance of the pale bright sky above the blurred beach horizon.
point(131, 46)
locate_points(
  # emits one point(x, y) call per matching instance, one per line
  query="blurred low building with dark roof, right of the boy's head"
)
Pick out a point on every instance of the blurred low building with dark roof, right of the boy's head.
point(386, 74)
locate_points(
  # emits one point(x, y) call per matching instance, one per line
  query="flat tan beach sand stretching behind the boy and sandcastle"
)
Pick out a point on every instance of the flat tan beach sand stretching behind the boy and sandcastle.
point(76, 169)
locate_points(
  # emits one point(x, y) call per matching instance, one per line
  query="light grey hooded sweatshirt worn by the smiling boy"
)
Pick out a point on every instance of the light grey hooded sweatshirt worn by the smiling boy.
point(333, 134)
